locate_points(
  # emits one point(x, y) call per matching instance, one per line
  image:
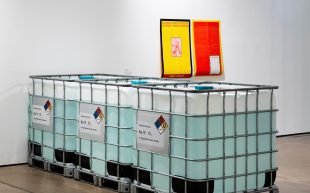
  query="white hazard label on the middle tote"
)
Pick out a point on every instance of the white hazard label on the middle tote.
point(91, 122)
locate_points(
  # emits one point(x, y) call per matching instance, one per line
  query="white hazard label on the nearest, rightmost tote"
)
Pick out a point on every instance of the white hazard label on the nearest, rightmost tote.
point(153, 132)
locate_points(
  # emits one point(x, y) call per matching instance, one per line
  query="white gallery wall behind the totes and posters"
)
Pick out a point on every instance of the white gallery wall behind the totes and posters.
point(264, 42)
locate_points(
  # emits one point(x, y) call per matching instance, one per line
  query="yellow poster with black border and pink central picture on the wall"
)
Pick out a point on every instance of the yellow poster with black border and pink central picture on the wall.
point(175, 48)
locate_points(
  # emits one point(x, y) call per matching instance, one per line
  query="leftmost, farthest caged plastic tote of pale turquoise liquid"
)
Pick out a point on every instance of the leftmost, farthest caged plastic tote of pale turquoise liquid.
point(53, 120)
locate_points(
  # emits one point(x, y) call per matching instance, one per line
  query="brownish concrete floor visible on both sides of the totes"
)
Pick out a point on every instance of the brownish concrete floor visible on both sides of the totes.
point(293, 176)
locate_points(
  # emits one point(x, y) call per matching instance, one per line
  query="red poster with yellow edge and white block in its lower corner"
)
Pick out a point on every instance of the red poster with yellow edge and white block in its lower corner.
point(207, 45)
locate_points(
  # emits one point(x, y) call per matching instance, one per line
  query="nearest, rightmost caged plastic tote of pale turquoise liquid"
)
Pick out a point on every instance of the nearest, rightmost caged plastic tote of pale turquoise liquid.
point(221, 134)
